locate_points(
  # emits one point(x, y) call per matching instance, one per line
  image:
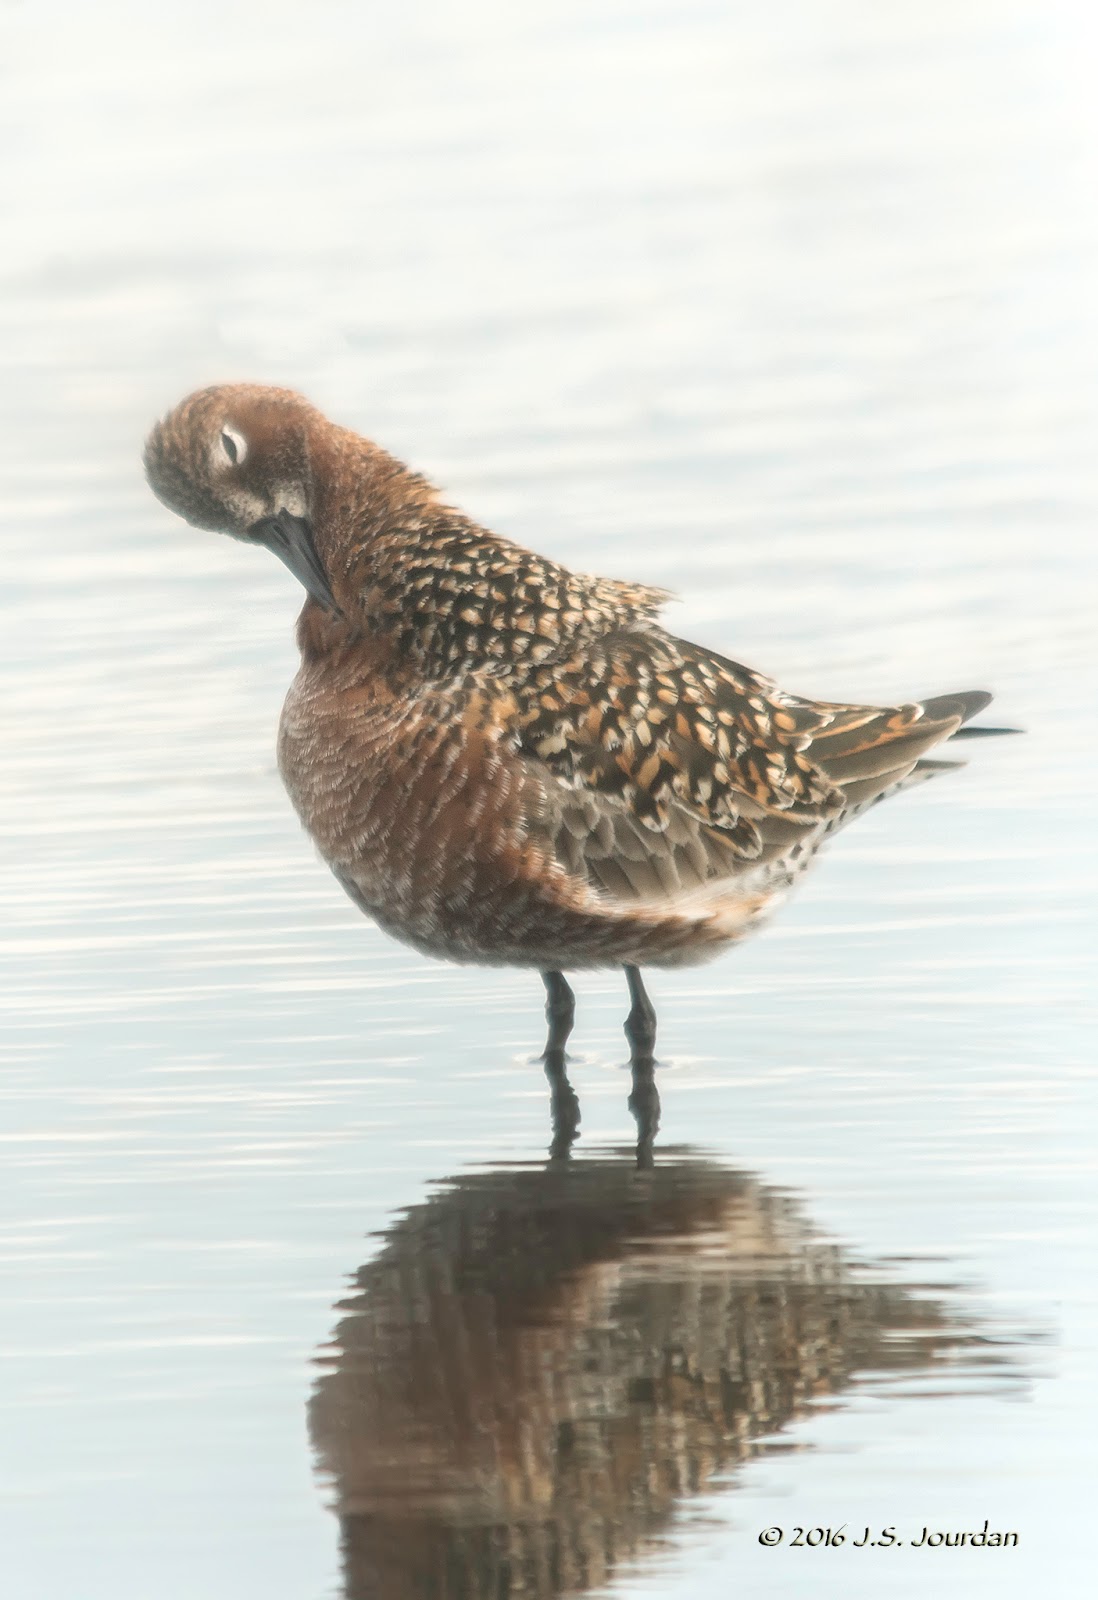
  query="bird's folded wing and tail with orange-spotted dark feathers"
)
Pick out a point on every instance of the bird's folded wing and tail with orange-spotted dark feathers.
point(676, 769)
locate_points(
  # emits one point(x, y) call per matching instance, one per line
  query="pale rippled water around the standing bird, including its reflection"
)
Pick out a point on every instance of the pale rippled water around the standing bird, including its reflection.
point(788, 310)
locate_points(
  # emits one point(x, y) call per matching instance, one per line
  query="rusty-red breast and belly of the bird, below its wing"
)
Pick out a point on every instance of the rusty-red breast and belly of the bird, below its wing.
point(431, 833)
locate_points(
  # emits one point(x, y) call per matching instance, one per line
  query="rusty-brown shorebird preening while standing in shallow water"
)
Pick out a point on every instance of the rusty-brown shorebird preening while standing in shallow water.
point(507, 762)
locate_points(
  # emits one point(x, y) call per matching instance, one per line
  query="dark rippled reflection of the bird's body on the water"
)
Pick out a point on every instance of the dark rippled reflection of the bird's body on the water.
point(540, 1366)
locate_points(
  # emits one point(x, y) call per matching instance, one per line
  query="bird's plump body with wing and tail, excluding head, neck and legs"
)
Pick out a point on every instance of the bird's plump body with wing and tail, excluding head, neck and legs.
point(524, 766)
